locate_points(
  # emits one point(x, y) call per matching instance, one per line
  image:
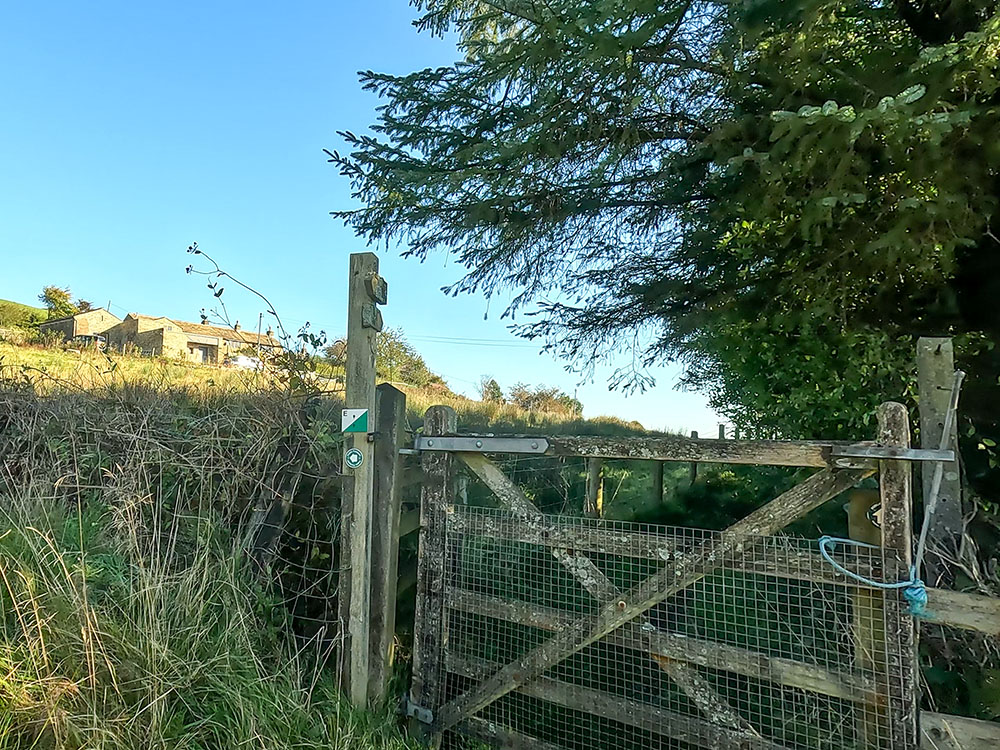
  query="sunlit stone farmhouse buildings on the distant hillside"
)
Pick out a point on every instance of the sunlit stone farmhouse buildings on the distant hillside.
point(164, 337)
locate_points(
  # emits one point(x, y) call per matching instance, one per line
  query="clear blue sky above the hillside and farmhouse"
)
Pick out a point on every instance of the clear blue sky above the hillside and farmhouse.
point(129, 130)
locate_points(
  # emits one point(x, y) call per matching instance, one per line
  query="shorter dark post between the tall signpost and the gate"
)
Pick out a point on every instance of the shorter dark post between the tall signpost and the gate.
point(390, 436)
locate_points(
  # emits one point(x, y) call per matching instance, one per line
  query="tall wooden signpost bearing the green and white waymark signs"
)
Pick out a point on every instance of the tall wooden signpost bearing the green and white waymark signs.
point(364, 321)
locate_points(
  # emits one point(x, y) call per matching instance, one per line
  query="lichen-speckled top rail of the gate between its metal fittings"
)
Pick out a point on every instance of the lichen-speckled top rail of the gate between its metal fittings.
point(705, 450)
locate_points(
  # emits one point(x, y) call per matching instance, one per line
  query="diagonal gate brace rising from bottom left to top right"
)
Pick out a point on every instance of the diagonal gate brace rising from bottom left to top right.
point(674, 577)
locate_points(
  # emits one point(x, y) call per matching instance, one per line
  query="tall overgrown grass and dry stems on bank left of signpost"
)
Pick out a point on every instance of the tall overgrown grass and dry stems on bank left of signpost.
point(130, 614)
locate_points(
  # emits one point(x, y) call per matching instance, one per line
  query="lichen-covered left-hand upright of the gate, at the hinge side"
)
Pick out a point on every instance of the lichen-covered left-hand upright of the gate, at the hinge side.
point(430, 621)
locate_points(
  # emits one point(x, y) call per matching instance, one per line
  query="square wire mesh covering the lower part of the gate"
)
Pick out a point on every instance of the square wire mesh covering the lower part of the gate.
point(772, 650)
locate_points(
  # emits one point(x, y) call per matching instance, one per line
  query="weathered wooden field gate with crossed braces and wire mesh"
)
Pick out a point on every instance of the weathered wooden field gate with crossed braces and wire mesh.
point(545, 631)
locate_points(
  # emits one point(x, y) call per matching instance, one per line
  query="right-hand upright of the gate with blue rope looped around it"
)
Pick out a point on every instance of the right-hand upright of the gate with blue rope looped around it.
point(896, 498)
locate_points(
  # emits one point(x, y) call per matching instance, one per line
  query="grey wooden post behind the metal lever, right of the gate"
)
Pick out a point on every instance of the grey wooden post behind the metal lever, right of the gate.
point(935, 377)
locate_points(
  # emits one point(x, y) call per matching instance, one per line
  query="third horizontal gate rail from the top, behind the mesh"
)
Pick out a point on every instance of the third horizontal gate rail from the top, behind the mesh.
point(852, 686)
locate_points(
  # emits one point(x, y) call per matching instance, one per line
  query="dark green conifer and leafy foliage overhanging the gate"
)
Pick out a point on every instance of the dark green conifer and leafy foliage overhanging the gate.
point(780, 195)
